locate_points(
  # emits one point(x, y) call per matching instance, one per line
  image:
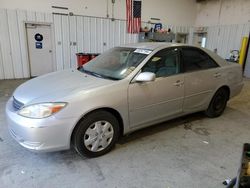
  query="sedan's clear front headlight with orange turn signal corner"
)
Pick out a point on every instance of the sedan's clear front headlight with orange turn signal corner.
point(41, 110)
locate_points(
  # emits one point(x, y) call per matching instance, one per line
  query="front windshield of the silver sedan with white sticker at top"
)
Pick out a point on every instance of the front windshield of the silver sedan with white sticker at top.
point(116, 63)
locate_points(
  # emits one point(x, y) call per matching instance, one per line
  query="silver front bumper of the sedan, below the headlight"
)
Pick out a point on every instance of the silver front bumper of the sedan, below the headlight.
point(48, 134)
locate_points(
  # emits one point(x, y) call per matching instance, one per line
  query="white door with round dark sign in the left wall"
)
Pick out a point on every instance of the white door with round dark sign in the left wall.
point(40, 49)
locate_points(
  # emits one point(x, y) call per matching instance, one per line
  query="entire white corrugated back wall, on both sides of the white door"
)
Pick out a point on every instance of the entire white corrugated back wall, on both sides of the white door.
point(72, 34)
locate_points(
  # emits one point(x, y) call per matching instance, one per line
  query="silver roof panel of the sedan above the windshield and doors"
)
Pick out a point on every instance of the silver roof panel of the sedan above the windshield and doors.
point(153, 45)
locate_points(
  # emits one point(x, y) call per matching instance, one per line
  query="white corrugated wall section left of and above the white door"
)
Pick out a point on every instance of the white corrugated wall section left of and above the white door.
point(13, 46)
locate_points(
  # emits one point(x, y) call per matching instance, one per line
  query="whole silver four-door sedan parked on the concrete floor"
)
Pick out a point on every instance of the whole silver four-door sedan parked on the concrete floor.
point(122, 90)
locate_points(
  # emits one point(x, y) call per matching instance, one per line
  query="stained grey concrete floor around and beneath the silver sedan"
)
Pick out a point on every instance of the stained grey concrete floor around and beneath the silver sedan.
point(193, 151)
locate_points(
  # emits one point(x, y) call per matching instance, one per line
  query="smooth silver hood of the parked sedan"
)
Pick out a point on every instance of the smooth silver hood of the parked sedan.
point(53, 86)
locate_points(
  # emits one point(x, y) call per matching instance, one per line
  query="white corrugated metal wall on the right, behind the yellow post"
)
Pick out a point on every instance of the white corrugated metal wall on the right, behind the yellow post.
point(226, 38)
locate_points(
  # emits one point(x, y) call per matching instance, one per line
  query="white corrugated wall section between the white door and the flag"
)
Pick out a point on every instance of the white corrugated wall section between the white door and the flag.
point(86, 34)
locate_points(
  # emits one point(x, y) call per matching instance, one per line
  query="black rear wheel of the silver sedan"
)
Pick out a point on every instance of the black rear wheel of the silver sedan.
point(218, 103)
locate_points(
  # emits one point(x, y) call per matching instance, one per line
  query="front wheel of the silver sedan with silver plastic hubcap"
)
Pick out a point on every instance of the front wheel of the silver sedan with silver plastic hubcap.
point(87, 124)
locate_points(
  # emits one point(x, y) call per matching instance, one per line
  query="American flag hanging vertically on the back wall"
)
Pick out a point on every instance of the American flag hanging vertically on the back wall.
point(133, 13)
